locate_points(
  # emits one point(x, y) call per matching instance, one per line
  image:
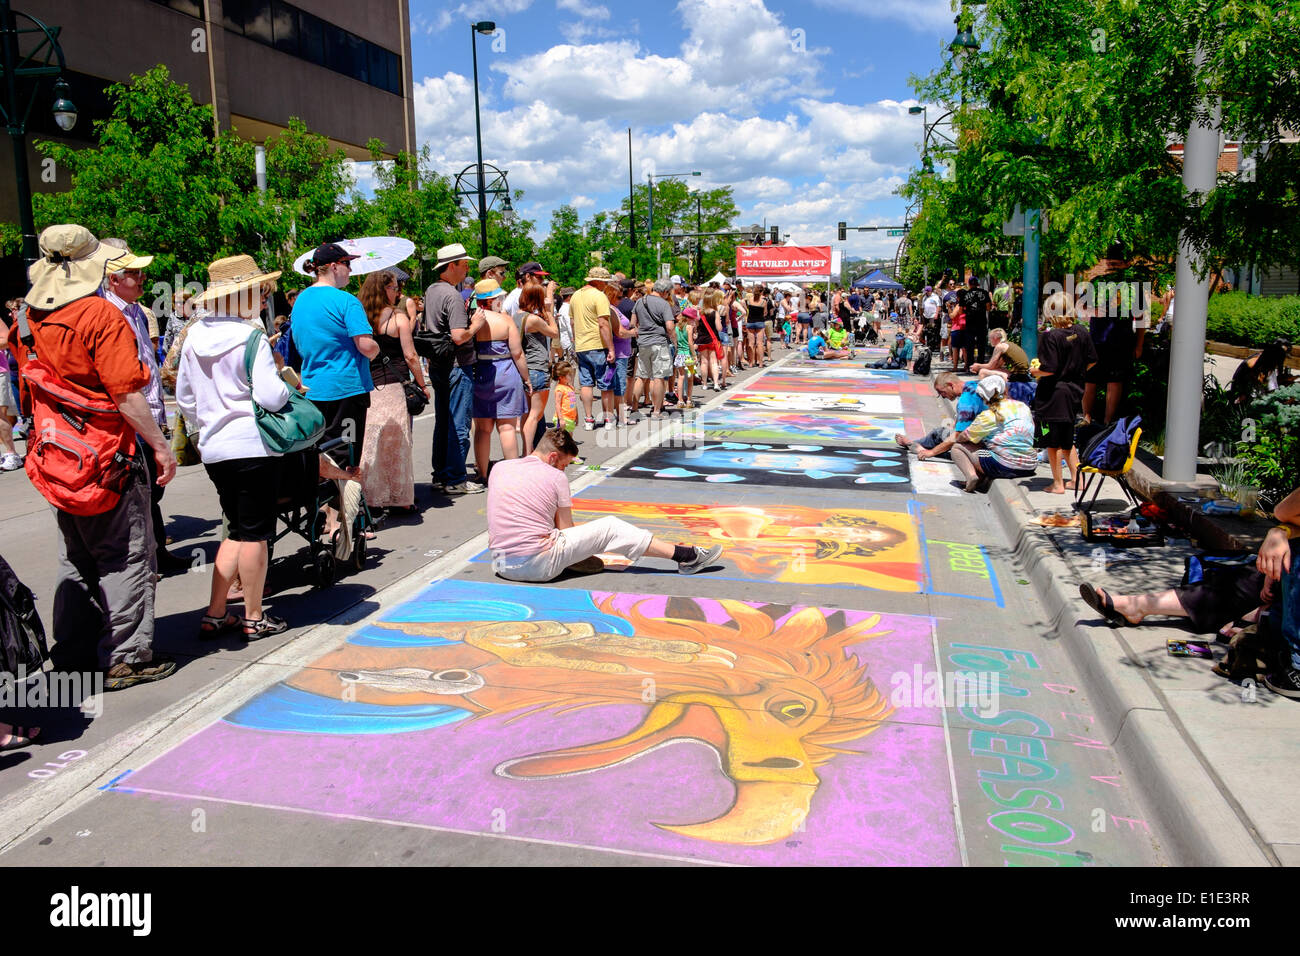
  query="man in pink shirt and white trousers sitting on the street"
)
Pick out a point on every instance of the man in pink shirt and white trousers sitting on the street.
point(531, 530)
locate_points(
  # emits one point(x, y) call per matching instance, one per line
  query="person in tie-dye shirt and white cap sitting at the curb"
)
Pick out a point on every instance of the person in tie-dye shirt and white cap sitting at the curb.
point(1000, 442)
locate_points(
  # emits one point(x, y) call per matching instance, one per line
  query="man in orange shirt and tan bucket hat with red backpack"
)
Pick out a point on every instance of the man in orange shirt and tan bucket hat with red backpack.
point(84, 378)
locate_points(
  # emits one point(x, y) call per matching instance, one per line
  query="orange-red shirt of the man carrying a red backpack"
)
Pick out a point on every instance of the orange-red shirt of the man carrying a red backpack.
point(89, 344)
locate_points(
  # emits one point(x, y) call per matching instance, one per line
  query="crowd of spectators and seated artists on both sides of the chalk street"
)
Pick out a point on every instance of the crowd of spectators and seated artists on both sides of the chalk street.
point(356, 371)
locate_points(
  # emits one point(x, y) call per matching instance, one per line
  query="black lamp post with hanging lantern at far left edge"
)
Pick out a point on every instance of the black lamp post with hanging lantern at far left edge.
point(16, 67)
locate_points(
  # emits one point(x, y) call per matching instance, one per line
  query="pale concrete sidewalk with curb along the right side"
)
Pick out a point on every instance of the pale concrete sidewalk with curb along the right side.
point(1219, 760)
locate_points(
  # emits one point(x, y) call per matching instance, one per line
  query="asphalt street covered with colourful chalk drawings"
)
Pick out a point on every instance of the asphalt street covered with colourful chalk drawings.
point(864, 678)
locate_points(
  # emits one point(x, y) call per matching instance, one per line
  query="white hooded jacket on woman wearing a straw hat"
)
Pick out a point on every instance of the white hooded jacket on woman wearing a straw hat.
point(213, 388)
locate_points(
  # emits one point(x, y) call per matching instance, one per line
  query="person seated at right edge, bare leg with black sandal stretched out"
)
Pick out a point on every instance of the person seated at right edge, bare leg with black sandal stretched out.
point(1233, 600)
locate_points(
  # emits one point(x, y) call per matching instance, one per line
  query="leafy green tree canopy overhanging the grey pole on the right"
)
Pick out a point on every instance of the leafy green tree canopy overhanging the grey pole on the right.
point(1071, 107)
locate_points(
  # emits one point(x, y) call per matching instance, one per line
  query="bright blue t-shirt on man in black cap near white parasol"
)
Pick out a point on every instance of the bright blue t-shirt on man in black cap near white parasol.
point(324, 322)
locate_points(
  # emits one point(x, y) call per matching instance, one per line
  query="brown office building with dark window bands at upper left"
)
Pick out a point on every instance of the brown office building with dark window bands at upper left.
point(343, 67)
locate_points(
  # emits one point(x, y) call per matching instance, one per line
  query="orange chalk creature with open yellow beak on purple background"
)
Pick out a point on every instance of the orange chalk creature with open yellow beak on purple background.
point(774, 702)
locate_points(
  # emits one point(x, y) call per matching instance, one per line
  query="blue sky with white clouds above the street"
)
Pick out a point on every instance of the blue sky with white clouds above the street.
point(801, 107)
